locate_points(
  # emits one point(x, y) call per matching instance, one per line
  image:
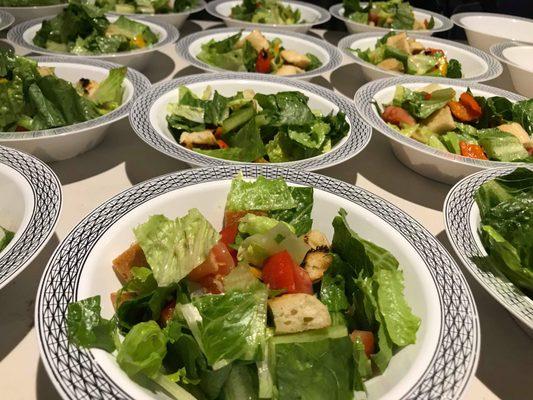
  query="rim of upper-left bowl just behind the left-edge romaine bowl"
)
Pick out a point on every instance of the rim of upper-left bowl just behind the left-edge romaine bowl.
point(16, 36)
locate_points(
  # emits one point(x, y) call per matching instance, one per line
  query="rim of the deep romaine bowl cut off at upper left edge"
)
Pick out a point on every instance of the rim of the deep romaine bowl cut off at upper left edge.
point(138, 81)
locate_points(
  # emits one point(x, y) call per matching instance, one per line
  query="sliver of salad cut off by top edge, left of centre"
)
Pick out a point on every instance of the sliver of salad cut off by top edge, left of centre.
point(146, 6)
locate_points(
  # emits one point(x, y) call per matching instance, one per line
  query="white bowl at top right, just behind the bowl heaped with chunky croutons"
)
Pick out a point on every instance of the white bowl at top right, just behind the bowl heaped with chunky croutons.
point(441, 22)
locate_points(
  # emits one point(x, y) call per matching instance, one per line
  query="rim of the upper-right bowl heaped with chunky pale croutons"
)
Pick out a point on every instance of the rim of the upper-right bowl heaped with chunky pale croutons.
point(494, 68)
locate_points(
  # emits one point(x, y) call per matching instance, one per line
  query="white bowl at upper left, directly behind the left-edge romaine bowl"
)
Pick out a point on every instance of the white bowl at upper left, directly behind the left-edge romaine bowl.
point(22, 35)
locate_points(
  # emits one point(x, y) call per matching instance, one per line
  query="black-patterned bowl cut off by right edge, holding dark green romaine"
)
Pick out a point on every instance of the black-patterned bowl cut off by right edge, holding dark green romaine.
point(462, 219)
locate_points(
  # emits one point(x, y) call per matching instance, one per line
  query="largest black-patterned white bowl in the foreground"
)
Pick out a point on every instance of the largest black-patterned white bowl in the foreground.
point(439, 365)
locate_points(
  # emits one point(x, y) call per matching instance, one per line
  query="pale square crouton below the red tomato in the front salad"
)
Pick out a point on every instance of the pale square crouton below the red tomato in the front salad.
point(298, 312)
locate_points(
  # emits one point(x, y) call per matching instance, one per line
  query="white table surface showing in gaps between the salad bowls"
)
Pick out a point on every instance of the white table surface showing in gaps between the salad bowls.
point(122, 160)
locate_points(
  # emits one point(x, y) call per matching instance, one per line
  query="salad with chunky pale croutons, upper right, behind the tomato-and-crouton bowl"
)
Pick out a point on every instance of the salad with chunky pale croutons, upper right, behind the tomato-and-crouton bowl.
point(397, 52)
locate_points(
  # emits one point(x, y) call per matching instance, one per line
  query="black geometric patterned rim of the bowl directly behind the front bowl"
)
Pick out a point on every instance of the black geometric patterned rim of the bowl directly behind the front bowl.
point(356, 141)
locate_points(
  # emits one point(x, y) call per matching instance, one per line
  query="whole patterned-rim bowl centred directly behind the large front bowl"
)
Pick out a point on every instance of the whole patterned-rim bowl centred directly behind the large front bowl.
point(148, 115)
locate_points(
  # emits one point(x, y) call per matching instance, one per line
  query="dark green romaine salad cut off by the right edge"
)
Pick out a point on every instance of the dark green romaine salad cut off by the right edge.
point(506, 210)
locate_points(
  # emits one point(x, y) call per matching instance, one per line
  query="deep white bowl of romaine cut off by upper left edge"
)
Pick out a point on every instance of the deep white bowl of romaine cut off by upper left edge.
point(72, 140)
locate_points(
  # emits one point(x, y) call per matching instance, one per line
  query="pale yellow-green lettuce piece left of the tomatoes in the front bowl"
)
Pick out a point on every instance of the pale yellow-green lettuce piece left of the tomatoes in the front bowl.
point(174, 248)
